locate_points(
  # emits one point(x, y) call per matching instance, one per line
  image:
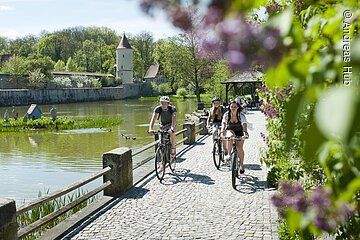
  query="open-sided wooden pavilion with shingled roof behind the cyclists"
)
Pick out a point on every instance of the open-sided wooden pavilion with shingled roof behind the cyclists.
point(239, 81)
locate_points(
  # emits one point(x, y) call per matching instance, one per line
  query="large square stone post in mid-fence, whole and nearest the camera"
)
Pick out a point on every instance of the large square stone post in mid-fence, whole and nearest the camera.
point(121, 174)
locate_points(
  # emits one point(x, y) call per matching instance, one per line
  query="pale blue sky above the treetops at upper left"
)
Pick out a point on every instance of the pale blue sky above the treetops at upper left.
point(19, 18)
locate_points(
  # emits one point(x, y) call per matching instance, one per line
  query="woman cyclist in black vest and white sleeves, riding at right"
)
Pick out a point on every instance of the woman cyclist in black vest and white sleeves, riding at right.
point(235, 122)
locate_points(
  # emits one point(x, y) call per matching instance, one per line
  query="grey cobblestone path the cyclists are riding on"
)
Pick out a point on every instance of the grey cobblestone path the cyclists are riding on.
point(196, 203)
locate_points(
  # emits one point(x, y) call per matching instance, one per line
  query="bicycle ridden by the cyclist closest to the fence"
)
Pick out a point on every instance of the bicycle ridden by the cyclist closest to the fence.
point(162, 155)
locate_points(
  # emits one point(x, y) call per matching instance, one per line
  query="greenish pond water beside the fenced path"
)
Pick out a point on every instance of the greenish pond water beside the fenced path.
point(50, 160)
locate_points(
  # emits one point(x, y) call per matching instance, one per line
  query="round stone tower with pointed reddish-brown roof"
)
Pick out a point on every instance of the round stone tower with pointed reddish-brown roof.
point(124, 61)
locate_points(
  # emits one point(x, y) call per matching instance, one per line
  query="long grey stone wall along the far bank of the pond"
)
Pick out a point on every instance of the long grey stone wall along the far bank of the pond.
point(9, 97)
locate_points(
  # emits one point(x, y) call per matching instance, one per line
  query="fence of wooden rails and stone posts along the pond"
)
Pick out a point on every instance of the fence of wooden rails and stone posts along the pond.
point(117, 176)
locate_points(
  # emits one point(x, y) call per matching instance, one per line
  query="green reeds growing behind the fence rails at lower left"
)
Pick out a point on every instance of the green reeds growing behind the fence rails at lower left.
point(49, 207)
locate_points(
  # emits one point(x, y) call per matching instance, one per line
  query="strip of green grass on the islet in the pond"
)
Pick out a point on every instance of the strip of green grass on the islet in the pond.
point(64, 123)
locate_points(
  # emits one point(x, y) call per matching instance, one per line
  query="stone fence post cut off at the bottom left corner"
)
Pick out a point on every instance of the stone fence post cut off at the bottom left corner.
point(8, 224)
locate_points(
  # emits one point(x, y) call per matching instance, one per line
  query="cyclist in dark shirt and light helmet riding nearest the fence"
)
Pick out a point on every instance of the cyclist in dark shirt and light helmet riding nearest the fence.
point(167, 115)
